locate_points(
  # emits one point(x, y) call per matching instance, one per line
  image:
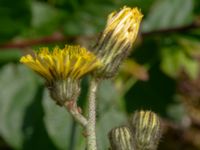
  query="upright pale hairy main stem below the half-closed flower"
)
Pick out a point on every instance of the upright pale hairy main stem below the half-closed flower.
point(91, 126)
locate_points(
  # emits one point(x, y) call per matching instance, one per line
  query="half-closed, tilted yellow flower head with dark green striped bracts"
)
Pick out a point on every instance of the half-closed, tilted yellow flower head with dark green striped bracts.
point(117, 39)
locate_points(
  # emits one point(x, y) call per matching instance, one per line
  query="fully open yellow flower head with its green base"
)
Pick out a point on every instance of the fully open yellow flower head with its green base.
point(62, 69)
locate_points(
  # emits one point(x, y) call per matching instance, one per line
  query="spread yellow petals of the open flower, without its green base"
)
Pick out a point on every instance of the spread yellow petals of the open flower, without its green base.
point(70, 62)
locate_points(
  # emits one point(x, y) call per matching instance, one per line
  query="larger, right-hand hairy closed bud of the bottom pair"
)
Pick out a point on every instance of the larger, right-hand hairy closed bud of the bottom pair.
point(146, 128)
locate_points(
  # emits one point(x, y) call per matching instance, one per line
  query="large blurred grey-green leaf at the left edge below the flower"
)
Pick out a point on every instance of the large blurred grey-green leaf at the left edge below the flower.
point(17, 90)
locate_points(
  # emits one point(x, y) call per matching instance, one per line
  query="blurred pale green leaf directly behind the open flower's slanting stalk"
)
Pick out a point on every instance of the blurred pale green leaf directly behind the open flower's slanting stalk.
point(64, 133)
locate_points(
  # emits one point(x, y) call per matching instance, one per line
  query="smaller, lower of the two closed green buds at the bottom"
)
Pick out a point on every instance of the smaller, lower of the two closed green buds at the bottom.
point(121, 138)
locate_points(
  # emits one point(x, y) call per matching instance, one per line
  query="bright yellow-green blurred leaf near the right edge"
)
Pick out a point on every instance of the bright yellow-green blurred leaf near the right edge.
point(174, 61)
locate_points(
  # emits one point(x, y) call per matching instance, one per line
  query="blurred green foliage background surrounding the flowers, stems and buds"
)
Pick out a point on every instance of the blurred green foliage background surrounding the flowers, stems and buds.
point(162, 73)
